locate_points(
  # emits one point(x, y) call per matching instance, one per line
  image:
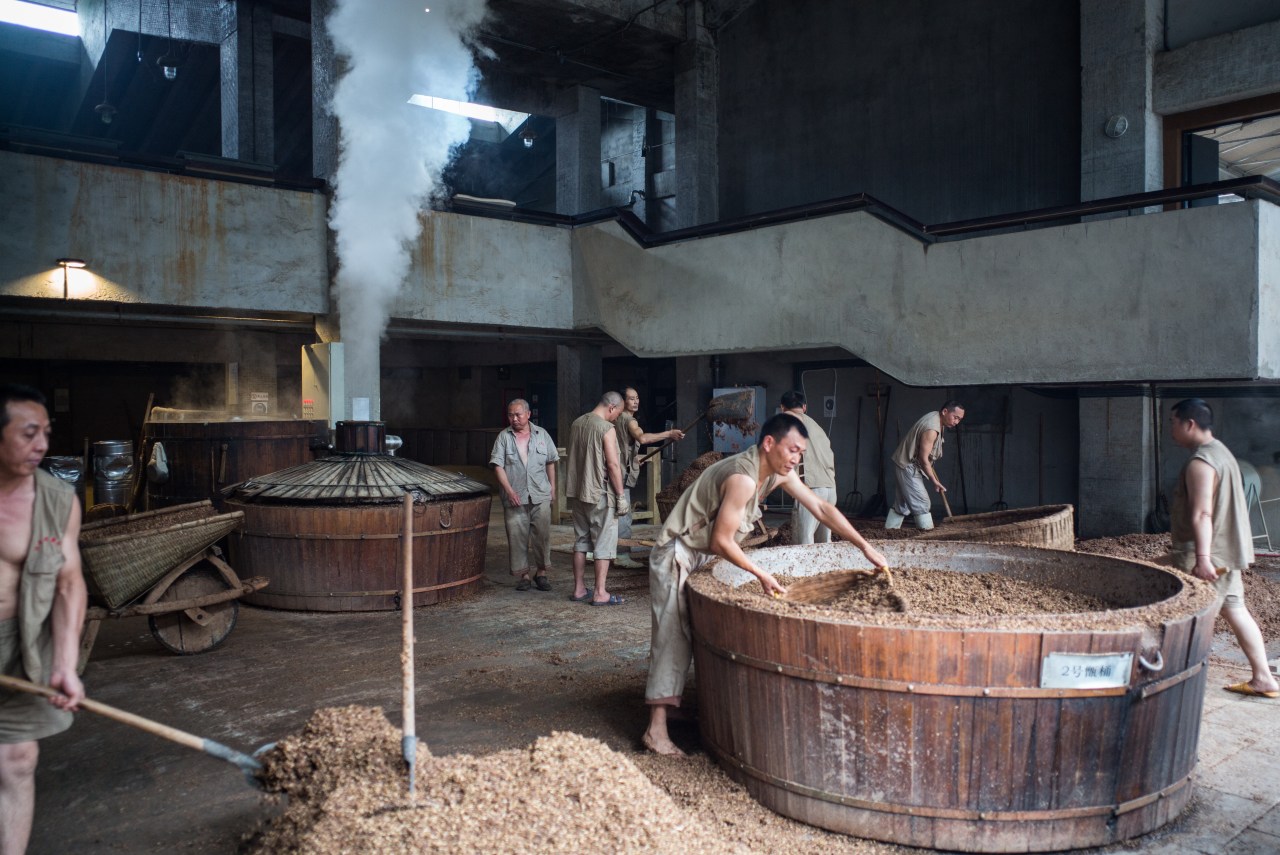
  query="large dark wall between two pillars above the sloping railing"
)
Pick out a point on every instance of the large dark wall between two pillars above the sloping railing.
point(945, 112)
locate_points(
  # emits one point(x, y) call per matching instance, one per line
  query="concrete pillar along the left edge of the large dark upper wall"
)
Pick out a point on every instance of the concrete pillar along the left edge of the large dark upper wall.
point(697, 127)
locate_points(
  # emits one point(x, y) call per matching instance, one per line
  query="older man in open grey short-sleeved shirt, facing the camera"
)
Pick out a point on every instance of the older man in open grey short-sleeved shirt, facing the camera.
point(524, 461)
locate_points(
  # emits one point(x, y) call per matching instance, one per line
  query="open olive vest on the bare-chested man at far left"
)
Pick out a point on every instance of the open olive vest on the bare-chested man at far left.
point(39, 583)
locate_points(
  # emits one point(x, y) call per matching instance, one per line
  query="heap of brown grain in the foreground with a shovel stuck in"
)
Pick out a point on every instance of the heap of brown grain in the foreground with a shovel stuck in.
point(348, 789)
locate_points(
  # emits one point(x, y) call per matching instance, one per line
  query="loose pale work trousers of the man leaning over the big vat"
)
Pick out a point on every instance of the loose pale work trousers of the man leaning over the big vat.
point(671, 647)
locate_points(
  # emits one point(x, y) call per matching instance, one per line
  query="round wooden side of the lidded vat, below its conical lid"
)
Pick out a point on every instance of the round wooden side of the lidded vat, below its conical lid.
point(348, 559)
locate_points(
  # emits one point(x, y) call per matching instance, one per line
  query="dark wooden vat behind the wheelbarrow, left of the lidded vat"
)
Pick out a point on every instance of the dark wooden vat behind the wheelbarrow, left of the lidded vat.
point(208, 456)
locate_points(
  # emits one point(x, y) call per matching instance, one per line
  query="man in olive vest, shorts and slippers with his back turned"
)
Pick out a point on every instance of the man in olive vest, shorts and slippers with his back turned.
point(596, 492)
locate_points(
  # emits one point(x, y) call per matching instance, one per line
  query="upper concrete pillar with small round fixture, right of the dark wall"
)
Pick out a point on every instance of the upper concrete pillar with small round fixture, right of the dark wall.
point(1118, 44)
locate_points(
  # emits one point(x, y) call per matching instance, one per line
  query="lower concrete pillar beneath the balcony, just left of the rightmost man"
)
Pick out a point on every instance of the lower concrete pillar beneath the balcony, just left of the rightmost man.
point(1117, 465)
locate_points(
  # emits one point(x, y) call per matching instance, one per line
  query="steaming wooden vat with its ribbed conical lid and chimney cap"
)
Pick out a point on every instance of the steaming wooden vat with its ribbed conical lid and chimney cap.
point(328, 534)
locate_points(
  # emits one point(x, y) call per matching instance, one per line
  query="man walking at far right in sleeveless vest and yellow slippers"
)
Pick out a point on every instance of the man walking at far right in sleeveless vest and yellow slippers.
point(1210, 532)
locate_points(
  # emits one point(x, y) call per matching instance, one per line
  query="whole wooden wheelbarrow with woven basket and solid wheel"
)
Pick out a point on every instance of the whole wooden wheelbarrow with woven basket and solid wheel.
point(164, 565)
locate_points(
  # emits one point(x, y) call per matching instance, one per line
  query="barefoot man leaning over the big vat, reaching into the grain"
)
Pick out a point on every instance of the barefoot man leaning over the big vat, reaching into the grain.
point(711, 520)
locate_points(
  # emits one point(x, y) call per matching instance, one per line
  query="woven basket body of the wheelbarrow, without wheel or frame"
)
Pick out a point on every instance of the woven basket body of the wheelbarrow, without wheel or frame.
point(126, 556)
